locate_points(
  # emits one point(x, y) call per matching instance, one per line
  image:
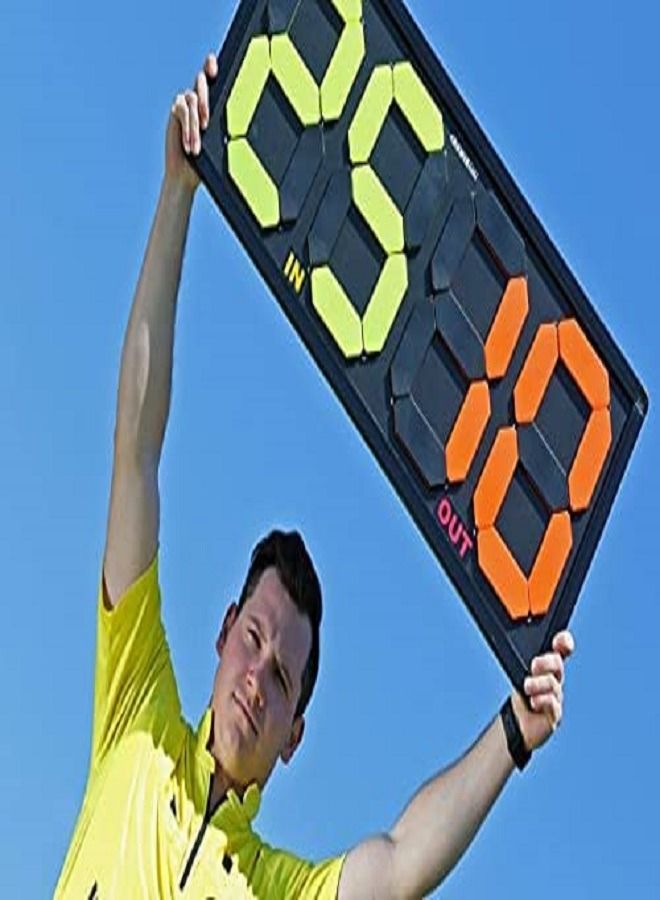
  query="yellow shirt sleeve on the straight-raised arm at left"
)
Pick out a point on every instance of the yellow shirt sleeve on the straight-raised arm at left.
point(134, 686)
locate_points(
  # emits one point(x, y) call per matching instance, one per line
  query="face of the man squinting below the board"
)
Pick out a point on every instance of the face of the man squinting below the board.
point(263, 649)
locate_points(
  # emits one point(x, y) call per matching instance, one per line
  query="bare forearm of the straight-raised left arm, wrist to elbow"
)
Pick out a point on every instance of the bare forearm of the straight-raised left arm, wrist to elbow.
point(146, 363)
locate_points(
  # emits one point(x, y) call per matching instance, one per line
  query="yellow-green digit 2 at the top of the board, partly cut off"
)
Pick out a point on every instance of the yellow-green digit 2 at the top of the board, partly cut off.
point(277, 56)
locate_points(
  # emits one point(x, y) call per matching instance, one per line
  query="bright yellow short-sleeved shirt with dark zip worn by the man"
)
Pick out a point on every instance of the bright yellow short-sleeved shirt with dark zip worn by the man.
point(142, 830)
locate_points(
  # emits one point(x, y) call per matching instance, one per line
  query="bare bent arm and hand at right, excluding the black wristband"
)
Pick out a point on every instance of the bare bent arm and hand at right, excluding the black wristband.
point(443, 817)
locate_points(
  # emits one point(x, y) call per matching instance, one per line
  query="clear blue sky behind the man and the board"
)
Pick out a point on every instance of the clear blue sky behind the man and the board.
point(569, 93)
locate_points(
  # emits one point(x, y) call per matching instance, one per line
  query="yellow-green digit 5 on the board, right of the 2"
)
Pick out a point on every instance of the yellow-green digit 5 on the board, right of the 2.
point(388, 84)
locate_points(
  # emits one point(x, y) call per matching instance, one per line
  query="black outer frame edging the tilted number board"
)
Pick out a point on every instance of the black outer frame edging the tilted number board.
point(480, 149)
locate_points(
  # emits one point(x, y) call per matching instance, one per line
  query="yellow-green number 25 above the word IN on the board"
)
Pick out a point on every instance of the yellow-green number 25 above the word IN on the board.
point(389, 84)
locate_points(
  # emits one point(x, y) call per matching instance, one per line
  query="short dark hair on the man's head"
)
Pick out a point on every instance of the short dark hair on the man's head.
point(286, 552)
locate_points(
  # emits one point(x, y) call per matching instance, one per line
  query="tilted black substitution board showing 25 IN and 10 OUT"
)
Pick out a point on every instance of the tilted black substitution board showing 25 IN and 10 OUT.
point(417, 276)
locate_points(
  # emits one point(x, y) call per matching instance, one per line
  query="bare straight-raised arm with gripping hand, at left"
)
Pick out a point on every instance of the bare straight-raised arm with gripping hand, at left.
point(145, 376)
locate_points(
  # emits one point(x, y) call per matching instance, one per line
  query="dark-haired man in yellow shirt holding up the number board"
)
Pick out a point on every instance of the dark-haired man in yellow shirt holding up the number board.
point(167, 810)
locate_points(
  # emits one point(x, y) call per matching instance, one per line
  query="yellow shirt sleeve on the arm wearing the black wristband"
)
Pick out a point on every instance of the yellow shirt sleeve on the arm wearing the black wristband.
point(283, 875)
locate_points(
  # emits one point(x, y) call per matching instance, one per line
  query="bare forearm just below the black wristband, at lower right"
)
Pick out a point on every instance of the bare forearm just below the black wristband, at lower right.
point(444, 816)
